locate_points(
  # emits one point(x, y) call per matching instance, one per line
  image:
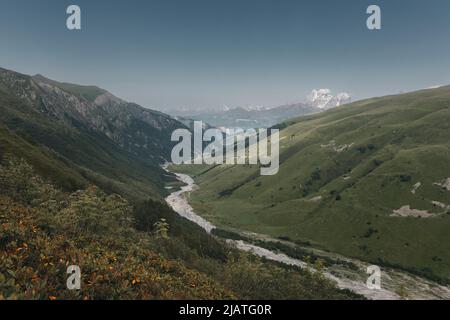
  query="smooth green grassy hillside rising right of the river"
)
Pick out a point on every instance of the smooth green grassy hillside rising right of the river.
point(342, 175)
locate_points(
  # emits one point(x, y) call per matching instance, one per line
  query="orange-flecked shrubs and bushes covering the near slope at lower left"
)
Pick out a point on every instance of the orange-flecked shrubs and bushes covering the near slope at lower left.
point(125, 250)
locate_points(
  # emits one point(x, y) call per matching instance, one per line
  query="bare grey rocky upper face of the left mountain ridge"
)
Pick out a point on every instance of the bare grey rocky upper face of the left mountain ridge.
point(138, 130)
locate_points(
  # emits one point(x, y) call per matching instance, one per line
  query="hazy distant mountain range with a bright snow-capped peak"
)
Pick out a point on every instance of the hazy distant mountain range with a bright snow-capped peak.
point(261, 117)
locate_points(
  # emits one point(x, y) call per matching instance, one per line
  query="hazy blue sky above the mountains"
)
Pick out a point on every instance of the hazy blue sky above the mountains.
point(207, 53)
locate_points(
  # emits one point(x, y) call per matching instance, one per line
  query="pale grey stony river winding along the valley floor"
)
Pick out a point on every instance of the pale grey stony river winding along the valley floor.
point(346, 278)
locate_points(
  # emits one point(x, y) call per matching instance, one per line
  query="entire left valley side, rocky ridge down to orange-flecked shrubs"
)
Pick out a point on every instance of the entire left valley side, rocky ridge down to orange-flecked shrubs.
point(81, 184)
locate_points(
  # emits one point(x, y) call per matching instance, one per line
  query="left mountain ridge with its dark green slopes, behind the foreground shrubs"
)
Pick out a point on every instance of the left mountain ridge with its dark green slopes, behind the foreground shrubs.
point(109, 134)
